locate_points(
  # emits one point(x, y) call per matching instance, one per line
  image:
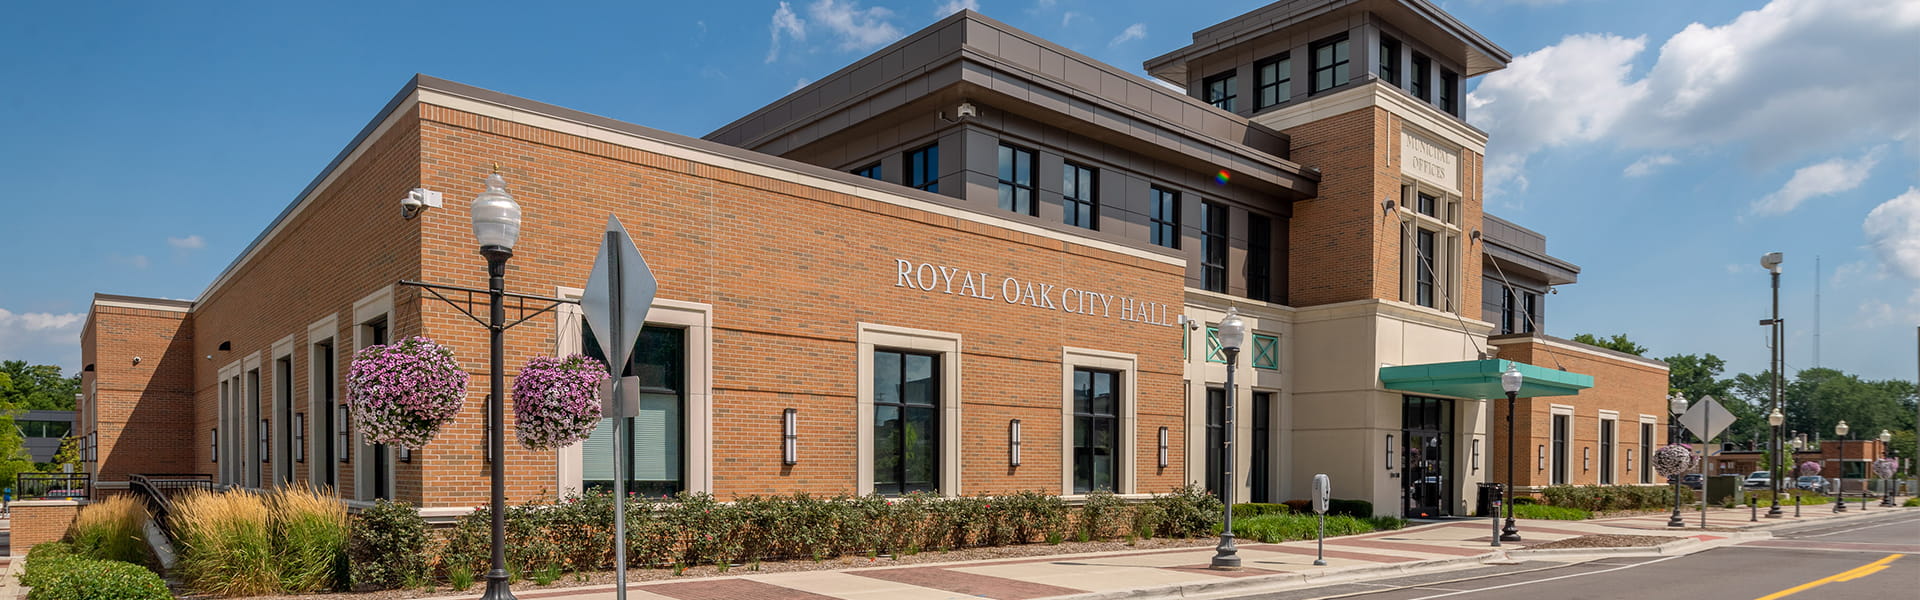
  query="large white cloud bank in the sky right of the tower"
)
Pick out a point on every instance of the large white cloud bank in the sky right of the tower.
point(1781, 84)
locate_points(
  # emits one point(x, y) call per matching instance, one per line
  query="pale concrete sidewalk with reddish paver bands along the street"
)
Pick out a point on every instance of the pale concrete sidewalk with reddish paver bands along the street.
point(1184, 574)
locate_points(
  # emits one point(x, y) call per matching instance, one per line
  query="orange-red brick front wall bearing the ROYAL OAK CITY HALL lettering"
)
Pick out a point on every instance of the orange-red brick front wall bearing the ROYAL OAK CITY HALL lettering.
point(790, 274)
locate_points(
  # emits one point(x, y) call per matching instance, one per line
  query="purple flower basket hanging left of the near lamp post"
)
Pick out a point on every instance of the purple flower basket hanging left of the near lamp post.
point(404, 393)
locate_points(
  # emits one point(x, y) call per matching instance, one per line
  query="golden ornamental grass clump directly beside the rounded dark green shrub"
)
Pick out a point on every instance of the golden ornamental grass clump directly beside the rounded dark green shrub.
point(310, 539)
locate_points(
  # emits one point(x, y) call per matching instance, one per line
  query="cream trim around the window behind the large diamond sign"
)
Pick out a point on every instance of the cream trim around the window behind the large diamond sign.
point(698, 322)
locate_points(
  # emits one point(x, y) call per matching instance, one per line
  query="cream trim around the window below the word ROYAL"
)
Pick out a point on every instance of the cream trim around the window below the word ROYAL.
point(948, 345)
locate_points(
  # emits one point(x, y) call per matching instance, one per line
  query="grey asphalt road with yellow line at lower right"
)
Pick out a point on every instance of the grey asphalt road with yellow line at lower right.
point(1867, 559)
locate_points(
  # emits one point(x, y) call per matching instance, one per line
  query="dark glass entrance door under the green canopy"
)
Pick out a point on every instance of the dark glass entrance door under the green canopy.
point(1428, 457)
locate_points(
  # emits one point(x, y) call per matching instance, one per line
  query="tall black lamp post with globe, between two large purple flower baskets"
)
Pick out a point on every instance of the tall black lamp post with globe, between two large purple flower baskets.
point(496, 228)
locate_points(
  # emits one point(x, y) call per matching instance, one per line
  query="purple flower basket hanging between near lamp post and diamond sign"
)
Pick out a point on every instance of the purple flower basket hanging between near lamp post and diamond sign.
point(556, 401)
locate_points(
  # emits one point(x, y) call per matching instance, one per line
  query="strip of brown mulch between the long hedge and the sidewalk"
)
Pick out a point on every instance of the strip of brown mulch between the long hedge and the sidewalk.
point(844, 562)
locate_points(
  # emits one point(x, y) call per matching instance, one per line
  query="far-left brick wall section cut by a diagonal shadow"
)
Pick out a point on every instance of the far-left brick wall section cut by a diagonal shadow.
point(143, 411)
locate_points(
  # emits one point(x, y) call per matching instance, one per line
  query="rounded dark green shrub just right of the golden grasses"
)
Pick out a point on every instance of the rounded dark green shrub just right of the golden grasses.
point(387, 547)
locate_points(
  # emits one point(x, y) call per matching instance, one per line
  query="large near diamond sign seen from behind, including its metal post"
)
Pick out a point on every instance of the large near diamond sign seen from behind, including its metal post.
point(615, 305)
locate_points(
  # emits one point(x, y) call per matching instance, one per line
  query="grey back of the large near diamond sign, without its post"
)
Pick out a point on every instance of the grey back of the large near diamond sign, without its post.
point(617, 299)
